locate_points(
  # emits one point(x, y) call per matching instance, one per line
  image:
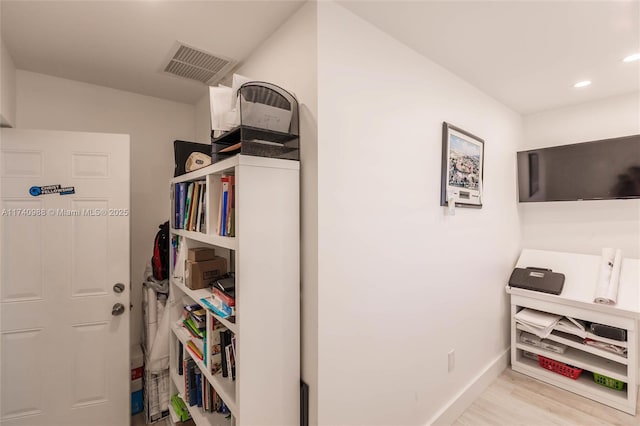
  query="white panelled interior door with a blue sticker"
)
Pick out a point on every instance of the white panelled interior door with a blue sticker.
point(64, 354)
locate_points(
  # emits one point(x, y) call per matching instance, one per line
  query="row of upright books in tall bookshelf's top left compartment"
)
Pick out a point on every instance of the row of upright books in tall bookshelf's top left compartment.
point(190, 206)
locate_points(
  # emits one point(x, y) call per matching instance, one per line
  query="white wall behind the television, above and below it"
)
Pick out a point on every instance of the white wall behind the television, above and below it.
point(583, 226)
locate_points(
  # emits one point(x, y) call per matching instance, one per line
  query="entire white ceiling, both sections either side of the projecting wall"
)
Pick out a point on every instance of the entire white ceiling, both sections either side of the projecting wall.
point(525, 54)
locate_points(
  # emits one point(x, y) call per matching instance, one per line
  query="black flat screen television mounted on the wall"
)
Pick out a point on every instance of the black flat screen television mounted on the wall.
point(599, 170)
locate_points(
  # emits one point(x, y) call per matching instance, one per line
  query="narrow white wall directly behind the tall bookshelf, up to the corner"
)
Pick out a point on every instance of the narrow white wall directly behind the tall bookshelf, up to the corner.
point(288, 58)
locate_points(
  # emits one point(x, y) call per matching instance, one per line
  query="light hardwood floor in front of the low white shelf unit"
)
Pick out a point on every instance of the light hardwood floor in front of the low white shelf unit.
point(515, 399)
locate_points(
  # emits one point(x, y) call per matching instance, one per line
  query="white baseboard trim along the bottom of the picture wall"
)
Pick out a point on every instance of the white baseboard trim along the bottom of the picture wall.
point(449, 413)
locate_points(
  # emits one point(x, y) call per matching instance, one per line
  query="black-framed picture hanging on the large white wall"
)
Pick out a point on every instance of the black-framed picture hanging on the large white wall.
point(462, 167)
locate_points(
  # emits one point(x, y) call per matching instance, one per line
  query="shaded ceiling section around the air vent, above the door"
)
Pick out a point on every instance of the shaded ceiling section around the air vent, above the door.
point(126, 44)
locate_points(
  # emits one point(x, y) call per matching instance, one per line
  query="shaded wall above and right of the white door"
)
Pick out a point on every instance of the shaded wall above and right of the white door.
point(45, 102)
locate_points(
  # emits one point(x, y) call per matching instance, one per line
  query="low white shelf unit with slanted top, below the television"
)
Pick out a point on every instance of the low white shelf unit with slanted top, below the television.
point(576, 301)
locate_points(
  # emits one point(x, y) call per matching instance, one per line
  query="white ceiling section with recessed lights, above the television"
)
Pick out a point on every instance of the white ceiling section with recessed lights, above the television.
point(526, 54)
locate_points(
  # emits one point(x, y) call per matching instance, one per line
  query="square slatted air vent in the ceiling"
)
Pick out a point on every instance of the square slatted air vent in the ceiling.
point(195, 64)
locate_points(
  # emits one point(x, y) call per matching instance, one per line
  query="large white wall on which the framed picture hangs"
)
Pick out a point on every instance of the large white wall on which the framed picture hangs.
point(401, 282)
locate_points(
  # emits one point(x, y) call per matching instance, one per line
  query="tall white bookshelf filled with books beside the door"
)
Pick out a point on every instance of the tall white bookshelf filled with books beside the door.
point(265, 256)
